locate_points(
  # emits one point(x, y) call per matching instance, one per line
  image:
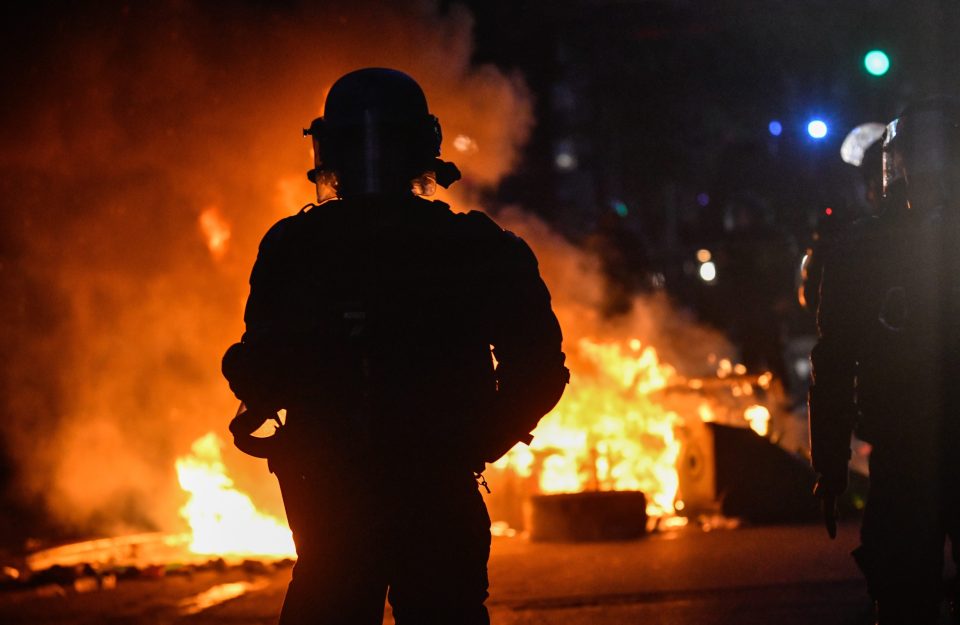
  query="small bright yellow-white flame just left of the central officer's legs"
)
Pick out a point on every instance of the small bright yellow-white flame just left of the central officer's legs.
point(223, 520)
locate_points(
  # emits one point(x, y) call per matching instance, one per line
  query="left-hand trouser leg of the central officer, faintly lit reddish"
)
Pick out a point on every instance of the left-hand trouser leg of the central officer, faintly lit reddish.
point(339, 577)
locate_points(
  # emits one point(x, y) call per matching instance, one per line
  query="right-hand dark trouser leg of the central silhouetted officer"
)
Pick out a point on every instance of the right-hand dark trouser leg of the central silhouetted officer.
point(441, 550)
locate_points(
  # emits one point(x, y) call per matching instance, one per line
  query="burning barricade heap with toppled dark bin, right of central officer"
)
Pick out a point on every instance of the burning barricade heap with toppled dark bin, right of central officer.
point(618, 453)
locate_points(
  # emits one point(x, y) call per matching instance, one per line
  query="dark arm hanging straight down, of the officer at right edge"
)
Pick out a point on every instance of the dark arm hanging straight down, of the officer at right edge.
point(832, 409)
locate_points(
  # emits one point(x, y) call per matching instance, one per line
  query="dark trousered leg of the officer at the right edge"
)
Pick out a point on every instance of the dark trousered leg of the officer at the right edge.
point(902, 537)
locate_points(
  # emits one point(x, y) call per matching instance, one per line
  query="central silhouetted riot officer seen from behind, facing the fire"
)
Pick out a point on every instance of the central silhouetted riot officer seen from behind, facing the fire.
point(371, 320)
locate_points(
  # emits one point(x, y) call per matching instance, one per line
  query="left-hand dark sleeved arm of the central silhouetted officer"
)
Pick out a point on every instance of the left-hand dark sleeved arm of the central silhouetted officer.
point(255, 366)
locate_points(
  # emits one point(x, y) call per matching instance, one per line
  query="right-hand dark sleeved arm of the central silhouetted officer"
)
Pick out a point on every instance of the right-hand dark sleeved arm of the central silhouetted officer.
point(526, 340)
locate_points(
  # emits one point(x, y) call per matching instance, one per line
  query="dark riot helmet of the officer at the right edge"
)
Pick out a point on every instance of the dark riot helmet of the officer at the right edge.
point(921, 156)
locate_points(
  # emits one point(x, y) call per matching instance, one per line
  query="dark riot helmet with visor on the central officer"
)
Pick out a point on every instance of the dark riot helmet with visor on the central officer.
point(377, 136)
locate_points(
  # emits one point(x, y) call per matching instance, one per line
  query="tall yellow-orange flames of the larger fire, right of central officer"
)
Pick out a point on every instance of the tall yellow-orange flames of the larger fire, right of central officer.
point(607, 433)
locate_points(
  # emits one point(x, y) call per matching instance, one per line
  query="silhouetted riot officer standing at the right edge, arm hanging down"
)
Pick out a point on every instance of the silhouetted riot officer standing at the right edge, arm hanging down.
point(887, 364)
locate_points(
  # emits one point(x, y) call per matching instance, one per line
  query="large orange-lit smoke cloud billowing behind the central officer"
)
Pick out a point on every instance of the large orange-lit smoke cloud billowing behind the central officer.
point(145, 151)
